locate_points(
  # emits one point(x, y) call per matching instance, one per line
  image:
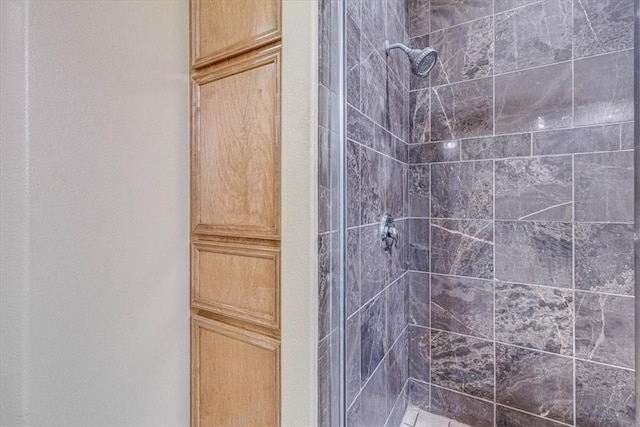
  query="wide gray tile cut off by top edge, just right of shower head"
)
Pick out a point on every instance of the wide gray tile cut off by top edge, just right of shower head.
point(447, 13)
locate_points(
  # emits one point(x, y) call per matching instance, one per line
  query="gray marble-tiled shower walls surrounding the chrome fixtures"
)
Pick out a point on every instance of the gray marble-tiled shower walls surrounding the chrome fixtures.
point(508, 300)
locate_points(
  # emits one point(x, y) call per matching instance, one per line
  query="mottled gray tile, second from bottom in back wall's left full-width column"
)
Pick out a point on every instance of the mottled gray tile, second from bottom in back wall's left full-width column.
point(462, 363)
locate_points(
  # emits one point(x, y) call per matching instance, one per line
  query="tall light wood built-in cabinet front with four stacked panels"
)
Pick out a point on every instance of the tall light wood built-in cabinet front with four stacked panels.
point(235, 212)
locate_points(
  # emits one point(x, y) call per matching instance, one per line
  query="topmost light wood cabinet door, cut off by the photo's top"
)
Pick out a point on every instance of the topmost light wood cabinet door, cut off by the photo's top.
point(223, 28)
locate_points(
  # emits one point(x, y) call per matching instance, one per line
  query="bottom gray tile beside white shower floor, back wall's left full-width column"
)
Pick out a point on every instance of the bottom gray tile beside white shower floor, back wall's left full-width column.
point(466, 409)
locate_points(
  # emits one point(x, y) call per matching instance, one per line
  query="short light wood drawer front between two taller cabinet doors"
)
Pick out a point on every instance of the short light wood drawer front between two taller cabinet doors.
point(239, 281)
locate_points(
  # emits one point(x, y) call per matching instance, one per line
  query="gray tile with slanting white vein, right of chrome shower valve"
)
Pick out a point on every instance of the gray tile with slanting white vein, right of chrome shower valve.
point(462, 248)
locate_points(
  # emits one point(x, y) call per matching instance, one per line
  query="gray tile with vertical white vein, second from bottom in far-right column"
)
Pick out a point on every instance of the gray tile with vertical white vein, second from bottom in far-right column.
point(604, 329)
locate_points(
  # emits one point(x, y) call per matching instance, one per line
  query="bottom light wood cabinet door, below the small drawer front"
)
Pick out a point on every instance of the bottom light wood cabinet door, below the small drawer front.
point(235, 376)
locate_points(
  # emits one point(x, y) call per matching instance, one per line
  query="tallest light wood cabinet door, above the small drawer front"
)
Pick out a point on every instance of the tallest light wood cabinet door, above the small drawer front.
point(236, 148)
